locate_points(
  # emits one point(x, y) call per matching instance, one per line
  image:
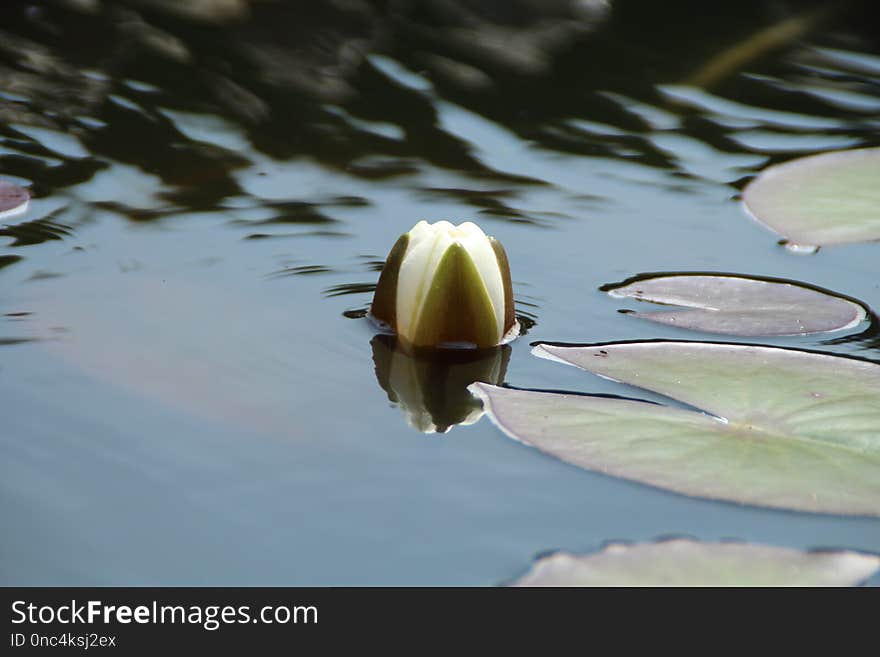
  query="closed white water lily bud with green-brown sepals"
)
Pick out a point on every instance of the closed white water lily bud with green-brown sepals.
point(447, 285)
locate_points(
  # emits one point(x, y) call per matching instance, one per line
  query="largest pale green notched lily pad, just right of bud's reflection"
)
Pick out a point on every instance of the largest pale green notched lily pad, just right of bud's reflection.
point(781, 428)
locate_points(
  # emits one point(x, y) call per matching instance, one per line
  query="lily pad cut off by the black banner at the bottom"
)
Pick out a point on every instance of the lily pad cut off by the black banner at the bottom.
point(683, 562)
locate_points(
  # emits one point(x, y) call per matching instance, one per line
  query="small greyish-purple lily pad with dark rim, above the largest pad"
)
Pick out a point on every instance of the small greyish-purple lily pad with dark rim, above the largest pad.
point(738, 305)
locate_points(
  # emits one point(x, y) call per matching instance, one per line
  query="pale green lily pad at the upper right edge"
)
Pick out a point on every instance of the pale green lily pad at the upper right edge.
point(832, 198)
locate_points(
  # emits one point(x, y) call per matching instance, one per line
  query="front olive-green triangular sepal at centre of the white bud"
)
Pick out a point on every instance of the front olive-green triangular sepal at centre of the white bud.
point(457, 307)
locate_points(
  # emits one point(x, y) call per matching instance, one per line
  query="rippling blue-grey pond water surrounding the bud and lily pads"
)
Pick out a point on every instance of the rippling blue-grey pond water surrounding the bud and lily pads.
point(188, 394)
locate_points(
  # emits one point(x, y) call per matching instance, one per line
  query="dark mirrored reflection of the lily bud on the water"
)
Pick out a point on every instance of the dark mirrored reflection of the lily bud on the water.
point(430, 385)
